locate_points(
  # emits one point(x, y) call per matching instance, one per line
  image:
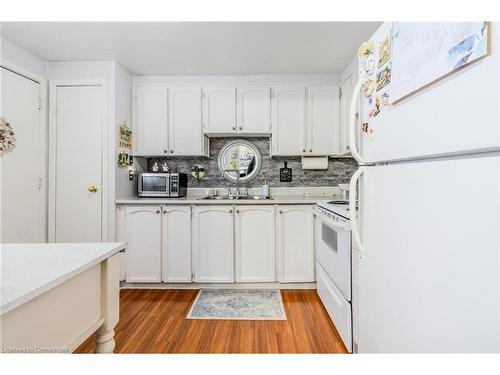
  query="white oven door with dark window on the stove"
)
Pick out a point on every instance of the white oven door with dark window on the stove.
point(333, 250)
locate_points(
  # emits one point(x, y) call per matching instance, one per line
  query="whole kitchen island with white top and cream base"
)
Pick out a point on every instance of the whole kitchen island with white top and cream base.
point(54, 296)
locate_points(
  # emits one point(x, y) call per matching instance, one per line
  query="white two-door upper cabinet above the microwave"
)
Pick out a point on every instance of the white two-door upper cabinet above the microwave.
point(168, 121)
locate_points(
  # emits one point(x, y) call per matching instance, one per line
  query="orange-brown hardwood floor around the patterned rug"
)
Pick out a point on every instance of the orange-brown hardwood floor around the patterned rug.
point(153, 321)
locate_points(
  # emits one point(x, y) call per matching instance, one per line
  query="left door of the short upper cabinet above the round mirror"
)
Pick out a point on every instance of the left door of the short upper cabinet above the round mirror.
point(219, 110)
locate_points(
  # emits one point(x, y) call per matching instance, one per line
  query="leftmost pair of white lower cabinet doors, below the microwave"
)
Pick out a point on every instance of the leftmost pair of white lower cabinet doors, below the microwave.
point(159, 243)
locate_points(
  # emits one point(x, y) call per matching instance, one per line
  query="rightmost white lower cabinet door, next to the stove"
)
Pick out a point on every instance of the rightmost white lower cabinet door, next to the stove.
point(295, 243)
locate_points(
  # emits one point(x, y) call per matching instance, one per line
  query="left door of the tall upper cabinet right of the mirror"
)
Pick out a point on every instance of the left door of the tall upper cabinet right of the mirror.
point(288, 119)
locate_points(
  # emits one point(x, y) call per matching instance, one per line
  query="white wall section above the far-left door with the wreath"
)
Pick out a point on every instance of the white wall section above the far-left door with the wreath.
point(19, 57)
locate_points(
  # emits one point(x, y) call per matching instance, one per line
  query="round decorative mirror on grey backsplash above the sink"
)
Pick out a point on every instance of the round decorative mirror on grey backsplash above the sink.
point(239, 161)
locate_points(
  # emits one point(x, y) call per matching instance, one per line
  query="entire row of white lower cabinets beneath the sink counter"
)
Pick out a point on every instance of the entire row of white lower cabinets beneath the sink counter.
point(218, 243)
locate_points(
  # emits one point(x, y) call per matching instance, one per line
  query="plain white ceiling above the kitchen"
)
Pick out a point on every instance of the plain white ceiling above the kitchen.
point(198, 48)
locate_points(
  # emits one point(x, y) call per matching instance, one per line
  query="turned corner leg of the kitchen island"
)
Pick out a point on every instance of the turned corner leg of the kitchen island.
point(110, 304)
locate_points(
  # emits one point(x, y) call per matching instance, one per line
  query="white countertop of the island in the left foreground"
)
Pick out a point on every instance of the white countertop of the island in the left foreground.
point(29, 270)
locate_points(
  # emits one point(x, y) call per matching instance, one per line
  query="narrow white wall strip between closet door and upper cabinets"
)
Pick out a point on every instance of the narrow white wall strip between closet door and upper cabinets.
point(123, 95)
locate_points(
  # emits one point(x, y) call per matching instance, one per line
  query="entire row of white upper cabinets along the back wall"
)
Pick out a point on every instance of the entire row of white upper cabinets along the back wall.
point(302, 120)
